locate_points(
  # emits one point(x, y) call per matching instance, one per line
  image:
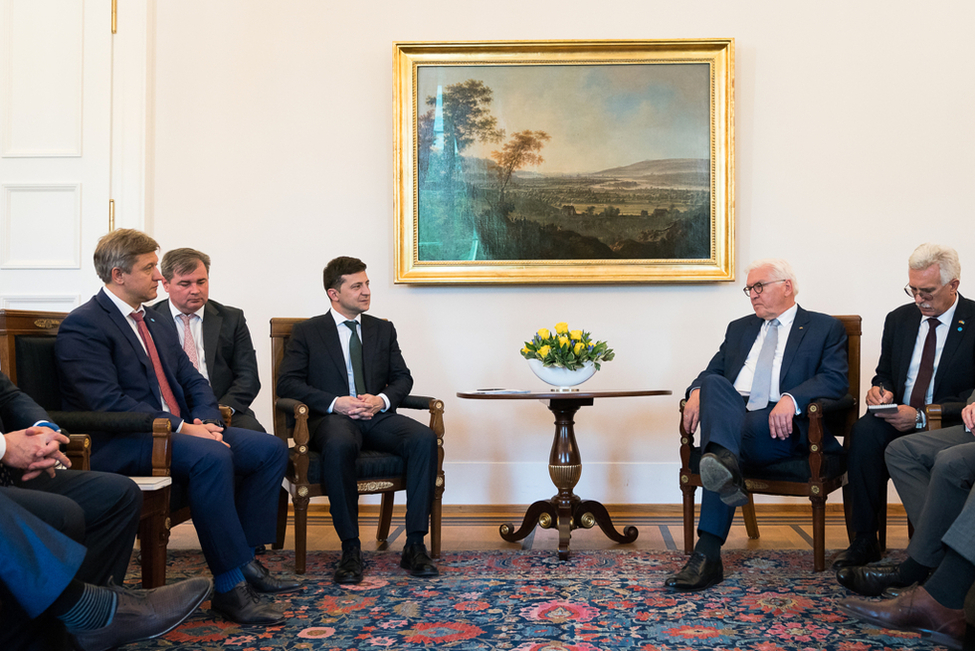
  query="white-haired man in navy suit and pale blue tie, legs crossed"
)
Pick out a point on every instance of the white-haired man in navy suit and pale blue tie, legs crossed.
point(749, 401)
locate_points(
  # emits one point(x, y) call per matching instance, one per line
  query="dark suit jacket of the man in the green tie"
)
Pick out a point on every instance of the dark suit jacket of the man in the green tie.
point(313, 369)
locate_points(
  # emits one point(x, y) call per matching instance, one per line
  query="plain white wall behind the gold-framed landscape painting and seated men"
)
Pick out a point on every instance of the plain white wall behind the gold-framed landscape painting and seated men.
point(273, 153)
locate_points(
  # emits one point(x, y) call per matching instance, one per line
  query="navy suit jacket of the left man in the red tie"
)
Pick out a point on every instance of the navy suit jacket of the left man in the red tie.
point(103, 367)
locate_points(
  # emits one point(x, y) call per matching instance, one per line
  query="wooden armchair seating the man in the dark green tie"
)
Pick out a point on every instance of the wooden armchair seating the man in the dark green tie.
point(377, 472)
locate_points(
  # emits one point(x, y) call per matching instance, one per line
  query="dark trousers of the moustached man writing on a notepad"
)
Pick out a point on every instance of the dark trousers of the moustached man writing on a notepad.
point(866, 472)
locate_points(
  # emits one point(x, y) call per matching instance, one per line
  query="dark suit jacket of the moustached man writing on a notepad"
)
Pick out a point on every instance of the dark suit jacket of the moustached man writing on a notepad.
point(955, 376)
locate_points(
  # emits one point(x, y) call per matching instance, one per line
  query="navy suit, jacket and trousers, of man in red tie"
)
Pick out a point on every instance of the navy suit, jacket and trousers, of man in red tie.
point(232, 491)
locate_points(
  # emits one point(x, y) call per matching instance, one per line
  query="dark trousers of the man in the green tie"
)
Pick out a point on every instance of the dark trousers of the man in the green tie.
point(339, 439)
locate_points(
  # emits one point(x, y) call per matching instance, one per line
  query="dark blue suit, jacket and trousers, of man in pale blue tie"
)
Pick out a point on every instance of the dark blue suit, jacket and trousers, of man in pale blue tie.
point(813, 366)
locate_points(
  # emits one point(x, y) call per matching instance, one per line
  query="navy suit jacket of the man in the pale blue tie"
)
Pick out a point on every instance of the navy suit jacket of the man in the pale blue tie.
point(814, 364)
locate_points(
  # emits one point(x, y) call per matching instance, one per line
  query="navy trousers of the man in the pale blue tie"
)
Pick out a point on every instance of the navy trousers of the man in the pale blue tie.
point(745, 434)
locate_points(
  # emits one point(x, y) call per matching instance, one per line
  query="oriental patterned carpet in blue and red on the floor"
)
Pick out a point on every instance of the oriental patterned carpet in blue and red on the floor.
point(530, 601)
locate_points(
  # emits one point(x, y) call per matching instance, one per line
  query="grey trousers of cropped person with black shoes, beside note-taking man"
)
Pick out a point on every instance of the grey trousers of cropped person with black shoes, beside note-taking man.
point(934, 473)
